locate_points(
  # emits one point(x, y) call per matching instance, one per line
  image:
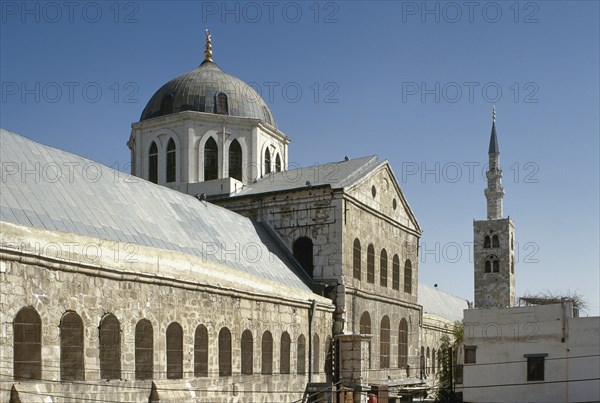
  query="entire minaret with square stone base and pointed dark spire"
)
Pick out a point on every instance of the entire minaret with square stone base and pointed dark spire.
point(494, 240)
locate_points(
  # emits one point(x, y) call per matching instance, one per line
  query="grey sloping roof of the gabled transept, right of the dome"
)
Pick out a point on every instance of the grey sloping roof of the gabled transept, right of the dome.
point(338, 175)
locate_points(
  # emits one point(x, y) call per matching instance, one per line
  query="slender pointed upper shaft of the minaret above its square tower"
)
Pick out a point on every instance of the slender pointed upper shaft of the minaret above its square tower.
point(494, 191)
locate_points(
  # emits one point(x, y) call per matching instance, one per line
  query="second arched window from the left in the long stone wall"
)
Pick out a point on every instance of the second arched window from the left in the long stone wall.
point(71, 348)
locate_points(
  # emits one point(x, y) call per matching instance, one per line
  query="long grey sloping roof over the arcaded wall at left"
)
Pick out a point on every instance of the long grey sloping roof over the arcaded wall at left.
point(50, 189)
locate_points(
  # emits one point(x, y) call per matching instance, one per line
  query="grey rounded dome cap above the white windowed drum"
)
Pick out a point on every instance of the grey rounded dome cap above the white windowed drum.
point(208, 89)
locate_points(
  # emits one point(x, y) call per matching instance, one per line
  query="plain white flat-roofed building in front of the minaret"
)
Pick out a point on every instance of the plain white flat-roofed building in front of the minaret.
point(530, 354)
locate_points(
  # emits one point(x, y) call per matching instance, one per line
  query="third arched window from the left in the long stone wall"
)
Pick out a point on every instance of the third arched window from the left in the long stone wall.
point(110, 348)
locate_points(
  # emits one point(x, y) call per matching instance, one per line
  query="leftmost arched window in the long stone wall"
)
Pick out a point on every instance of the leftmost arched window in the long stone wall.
point(27, 338)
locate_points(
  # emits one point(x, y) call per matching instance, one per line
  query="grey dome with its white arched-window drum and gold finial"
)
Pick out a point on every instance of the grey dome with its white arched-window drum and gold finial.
point(206, 132)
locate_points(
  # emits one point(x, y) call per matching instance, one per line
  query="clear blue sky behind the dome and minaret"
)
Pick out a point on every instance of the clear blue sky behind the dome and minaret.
point(412, 82)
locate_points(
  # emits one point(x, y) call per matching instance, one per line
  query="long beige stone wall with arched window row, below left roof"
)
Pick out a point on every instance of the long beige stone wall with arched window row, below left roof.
point(53, 287)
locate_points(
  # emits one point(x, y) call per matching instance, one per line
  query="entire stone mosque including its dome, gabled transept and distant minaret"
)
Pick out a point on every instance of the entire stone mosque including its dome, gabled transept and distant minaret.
point(216, 274)
